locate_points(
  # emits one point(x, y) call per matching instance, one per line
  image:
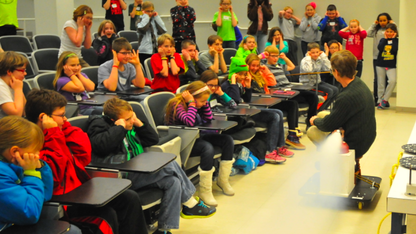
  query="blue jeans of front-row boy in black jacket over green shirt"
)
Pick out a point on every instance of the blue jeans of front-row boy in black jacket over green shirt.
point(177, 189)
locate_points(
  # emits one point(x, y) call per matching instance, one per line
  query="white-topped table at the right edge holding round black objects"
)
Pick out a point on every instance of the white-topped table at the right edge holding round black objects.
point(398, 202)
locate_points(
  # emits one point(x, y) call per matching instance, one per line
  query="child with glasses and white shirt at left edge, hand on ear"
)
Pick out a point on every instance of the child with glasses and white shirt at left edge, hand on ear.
point(12, 73)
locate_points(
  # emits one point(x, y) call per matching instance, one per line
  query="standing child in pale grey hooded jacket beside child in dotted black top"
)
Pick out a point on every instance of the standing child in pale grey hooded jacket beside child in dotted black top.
point(149, 27)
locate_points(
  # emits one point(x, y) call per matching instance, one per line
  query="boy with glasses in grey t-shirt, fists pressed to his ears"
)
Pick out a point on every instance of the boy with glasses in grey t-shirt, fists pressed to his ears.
point(123, 70)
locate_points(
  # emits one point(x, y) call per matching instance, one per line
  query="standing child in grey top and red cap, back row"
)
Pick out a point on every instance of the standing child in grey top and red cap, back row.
point(309, 27)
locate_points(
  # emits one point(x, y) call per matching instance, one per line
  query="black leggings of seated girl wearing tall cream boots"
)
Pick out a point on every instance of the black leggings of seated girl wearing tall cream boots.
point(204, 147)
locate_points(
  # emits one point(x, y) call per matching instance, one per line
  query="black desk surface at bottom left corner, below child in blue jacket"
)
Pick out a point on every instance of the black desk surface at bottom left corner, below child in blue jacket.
point(43, 226)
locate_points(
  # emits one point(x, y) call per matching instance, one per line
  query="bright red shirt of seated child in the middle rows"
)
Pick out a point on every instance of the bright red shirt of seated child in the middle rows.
point(170, 83)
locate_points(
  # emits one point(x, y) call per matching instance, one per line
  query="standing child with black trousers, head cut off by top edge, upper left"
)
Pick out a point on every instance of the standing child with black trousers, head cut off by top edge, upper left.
point(114, 12)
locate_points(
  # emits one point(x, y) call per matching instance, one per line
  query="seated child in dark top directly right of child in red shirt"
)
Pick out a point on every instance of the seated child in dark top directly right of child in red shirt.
point(193, 66)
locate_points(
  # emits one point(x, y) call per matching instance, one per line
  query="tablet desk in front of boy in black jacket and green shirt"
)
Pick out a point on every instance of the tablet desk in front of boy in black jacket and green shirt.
point(147, 162)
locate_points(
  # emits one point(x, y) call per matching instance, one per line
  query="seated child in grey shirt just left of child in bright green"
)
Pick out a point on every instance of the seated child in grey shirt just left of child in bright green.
point(214, 58)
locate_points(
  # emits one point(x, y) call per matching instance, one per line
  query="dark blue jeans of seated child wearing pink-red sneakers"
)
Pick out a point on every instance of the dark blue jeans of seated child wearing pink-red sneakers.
point(275, 131)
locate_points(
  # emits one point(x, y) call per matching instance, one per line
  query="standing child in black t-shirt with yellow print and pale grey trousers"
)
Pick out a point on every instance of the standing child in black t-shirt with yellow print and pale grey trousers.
point(386, 64)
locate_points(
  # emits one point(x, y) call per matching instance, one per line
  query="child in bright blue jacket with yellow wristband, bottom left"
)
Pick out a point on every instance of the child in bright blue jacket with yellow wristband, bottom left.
point(26, 181)
